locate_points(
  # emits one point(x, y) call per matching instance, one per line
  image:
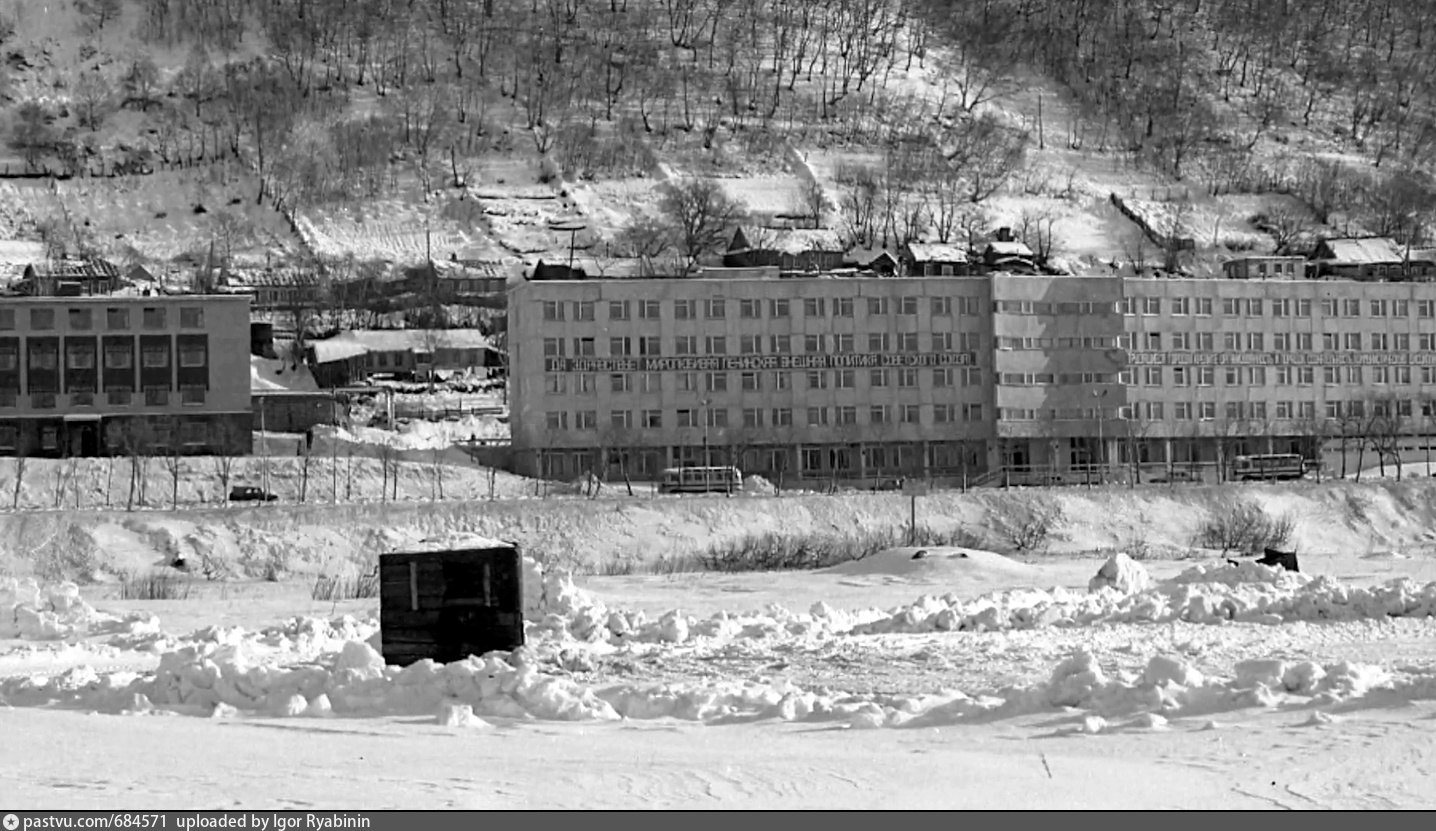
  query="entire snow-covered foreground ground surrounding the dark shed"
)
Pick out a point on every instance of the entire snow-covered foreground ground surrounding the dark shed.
point(943, 677)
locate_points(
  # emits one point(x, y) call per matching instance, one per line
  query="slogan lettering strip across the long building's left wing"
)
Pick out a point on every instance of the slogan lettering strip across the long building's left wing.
point(756, 362)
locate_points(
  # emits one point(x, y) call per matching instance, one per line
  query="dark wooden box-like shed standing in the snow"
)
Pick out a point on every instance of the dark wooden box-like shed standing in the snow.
point(450, 601)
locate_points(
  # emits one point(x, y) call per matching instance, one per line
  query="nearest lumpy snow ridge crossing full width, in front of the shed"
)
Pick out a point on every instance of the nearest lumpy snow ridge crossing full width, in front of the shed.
point(229, 681)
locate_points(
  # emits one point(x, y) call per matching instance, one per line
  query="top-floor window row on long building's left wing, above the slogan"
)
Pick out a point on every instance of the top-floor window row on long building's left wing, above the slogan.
point(757, 309)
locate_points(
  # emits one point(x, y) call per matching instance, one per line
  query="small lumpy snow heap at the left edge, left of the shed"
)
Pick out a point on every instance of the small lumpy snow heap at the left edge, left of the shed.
point(58, 612)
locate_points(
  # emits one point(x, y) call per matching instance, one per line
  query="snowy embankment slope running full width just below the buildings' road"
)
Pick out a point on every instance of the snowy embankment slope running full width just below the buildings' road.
point(585, 535)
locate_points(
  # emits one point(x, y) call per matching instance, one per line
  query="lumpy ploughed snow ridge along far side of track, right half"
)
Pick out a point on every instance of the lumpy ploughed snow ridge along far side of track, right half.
point(1249, 593)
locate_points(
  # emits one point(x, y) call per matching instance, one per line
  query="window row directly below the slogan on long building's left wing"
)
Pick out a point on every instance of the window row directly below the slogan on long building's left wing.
point(648, 382)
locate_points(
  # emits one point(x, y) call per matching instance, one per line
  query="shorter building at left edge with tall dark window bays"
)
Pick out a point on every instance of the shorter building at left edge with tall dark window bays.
point(108, 374)
